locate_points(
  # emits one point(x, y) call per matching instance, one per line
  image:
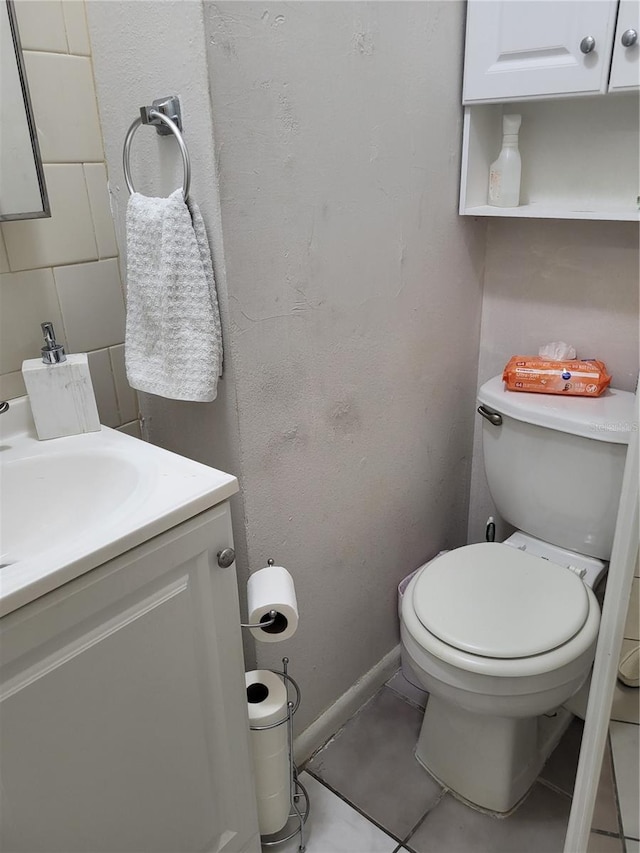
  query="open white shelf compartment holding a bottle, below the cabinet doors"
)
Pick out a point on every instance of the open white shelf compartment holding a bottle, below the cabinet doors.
point(579, 158)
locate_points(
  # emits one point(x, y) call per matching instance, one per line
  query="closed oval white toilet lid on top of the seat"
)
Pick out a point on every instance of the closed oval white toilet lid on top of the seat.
point(493, 600)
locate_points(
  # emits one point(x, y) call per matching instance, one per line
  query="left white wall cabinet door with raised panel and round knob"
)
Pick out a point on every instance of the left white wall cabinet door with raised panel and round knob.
point(531, 48)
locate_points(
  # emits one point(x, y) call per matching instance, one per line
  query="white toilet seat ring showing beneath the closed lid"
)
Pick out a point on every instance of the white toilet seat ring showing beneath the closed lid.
point(503, 667)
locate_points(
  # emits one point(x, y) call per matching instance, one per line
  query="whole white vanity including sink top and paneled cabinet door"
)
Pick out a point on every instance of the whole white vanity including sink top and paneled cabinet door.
point(123, 720)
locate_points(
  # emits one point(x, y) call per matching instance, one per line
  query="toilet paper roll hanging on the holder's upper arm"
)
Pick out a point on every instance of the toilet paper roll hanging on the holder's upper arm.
point(268, 589)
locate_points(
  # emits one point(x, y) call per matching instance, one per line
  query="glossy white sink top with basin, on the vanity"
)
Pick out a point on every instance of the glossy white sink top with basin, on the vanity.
point(70, 504)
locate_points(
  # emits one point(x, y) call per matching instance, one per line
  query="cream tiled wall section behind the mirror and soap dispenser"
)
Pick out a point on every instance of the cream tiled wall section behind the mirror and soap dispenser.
point(65, 268)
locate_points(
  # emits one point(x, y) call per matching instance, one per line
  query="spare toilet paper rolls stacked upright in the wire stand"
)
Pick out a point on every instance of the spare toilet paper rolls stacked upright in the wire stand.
point(266, 704)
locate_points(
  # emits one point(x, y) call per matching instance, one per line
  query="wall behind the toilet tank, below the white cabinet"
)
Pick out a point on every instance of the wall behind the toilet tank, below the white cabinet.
point(548, 281)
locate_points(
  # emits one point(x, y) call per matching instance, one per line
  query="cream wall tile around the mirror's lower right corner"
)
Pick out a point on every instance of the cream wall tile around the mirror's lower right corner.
point(66, 237)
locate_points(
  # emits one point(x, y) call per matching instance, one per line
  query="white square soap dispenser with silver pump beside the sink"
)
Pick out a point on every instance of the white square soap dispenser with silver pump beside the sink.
point(60, 390)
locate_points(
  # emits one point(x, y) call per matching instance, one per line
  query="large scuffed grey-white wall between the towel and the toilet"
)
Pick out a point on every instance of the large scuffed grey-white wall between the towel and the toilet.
point(354, 296)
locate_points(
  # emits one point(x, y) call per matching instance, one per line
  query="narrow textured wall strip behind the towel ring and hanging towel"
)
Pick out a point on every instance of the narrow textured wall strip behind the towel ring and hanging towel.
point(141, 51)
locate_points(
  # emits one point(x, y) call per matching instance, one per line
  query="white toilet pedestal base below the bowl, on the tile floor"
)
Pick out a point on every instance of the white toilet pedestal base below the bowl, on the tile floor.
point(489, 761)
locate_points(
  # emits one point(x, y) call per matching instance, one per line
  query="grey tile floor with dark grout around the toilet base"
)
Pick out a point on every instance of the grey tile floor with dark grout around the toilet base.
point(369, 795)
